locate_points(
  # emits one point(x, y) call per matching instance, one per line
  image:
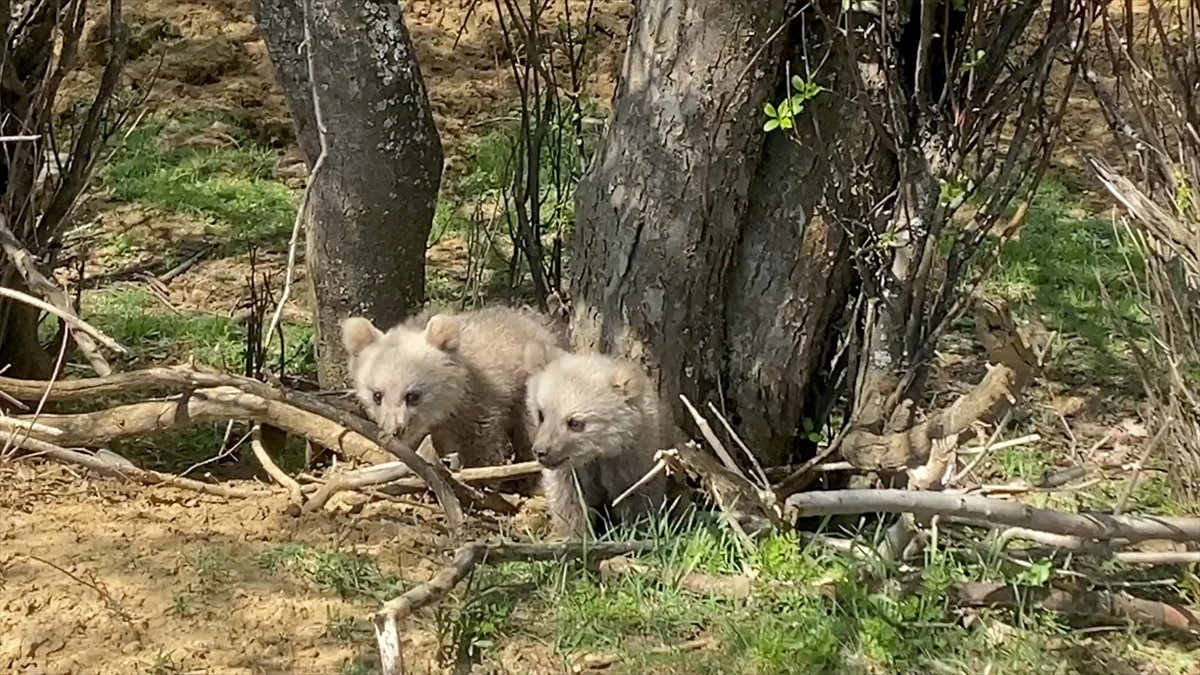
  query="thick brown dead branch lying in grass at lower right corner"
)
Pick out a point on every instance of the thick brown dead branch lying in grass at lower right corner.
point(1093, 605)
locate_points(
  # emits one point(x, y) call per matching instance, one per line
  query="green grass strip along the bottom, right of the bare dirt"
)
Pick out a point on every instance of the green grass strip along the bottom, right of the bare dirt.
point(812, 613)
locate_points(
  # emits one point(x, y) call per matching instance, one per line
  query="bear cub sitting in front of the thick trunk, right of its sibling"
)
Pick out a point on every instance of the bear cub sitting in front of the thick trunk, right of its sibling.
point(593, 420)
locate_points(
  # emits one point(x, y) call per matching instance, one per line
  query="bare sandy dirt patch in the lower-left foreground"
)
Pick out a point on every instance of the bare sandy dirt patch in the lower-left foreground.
point(98, 577)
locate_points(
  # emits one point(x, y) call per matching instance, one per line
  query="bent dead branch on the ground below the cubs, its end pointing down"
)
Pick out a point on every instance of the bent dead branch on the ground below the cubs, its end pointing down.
point(389, 618)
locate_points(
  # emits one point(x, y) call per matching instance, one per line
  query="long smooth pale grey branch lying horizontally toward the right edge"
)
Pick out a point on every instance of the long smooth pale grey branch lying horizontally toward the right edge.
point(995, 512)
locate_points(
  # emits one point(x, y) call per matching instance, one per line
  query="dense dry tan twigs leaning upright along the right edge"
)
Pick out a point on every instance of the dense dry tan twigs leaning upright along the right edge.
point(1144, 81)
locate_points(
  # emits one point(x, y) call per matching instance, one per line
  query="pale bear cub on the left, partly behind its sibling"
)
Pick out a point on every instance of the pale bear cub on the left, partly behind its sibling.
point(459, 379)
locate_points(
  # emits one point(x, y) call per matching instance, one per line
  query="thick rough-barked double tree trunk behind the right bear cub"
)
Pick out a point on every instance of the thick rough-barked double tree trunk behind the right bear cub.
point(710, 250)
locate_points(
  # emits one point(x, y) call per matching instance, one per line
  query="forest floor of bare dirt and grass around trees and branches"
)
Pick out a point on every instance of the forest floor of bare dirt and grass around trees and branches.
point(100, 577)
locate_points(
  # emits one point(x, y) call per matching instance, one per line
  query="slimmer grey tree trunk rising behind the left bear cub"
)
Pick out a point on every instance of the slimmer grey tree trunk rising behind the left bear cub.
point(373, 202)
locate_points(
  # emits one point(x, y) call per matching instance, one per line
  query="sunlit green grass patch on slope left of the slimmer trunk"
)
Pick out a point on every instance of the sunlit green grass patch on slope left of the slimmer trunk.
point(231, 189)
